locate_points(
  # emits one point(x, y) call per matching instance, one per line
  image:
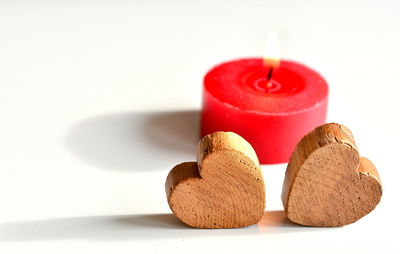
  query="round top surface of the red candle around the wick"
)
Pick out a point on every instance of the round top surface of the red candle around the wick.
point(243, 84)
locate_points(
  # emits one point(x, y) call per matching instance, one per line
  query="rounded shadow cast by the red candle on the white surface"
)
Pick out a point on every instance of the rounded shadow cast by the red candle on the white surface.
point(135, 141)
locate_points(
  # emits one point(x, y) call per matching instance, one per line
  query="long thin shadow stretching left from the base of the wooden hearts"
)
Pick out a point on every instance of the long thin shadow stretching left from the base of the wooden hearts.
point(134, 227)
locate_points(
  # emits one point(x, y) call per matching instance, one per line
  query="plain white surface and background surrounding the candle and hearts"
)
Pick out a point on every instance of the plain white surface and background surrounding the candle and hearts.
point(100, 99)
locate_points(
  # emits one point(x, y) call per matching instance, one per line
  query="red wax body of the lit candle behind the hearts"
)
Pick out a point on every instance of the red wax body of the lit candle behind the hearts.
point(272, 116)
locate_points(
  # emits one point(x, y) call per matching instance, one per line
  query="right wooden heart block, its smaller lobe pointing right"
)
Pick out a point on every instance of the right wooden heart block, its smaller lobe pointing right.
point(327, 184)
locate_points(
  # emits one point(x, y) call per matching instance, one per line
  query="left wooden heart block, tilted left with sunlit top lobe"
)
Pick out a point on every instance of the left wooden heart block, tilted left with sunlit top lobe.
point(224, 189)
